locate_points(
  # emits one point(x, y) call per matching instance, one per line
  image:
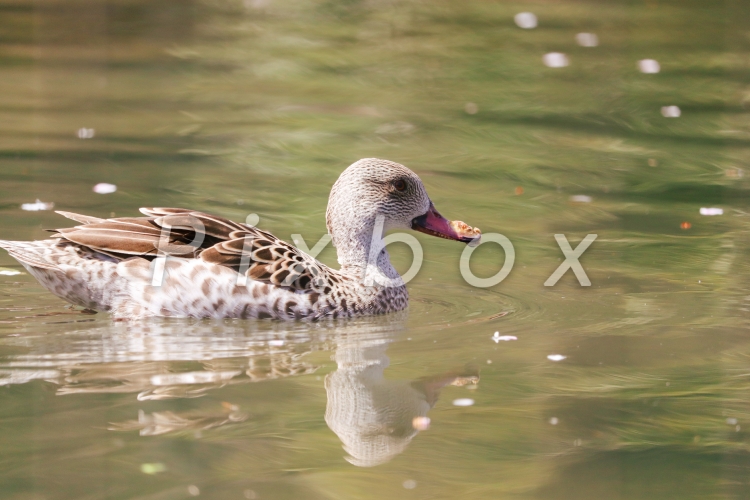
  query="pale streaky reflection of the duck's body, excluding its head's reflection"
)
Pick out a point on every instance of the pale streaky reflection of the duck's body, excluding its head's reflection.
point(159, 360)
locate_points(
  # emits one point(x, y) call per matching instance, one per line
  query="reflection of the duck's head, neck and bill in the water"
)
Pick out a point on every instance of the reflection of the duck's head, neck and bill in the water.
point(376, 418)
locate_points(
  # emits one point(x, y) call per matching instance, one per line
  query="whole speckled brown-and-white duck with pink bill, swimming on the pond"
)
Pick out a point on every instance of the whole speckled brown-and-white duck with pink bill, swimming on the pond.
point(176, 262)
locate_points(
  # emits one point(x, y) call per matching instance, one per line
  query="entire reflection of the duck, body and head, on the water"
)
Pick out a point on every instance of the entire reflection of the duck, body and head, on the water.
point(375, 418)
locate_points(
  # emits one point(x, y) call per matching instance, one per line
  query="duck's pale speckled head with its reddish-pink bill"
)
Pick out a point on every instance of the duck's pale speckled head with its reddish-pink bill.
point(370, 188)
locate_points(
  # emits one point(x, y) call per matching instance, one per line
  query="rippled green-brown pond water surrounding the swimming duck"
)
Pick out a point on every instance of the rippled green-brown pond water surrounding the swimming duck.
point(256, 107)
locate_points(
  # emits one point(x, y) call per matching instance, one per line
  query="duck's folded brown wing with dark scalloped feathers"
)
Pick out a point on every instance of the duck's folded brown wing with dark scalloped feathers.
point(192, 234)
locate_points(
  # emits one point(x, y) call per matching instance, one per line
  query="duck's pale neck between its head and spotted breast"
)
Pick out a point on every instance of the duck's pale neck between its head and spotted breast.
point(362, 254)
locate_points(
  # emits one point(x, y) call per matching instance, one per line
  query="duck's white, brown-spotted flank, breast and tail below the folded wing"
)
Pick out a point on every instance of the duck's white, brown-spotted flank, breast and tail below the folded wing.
point(192, 287)
